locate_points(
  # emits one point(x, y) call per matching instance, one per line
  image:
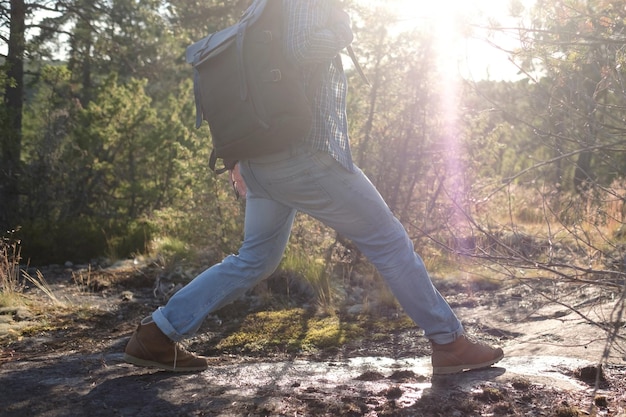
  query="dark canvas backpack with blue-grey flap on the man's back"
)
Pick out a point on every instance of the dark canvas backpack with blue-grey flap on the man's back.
point(248, 91)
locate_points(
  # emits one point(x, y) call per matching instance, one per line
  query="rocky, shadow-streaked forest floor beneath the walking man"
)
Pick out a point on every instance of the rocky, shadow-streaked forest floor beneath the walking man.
point(66, 360)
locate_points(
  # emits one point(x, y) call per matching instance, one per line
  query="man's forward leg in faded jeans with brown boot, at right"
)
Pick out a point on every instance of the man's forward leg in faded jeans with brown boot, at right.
point(313, 182)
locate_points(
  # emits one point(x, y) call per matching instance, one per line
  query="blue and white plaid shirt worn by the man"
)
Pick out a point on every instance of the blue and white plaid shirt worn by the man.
point(314, 39)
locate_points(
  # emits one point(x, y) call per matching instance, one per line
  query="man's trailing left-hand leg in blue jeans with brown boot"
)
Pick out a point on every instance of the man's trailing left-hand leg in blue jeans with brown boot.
point(266, 232)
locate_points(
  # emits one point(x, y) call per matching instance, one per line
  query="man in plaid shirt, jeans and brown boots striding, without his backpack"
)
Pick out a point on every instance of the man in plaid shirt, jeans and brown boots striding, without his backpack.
point(316, 177)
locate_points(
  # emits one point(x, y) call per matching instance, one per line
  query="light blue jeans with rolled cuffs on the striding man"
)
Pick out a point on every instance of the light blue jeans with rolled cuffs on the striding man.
point(312, 182)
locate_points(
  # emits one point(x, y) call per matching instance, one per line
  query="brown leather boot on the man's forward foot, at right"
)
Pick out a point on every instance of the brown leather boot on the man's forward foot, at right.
point(462, 355)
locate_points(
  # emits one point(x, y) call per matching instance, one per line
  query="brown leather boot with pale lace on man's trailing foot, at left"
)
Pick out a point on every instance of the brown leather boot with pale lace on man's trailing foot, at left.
point(149, 346)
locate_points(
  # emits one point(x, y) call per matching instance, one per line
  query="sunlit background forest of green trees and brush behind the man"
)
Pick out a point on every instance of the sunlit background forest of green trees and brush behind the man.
point(518, 179)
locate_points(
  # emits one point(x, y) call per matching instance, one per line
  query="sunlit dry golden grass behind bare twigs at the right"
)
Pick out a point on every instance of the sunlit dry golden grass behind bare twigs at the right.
point(533, 228)
